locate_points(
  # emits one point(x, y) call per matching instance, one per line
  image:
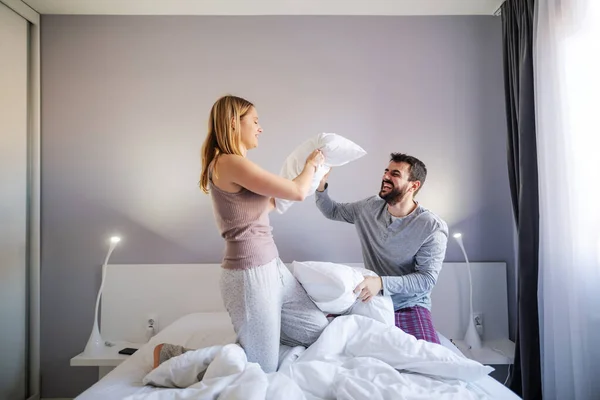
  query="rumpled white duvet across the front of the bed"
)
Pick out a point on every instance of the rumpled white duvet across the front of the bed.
point(355, 358)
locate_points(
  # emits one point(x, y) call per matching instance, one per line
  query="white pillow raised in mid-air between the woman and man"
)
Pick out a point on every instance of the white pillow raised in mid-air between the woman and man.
point(337, 150)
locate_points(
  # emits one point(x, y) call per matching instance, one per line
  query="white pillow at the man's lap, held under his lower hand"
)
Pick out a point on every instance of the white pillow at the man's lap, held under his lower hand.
point(331, 287)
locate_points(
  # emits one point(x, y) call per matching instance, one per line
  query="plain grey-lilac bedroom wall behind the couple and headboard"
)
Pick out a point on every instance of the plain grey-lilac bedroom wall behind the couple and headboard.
point(125, 104)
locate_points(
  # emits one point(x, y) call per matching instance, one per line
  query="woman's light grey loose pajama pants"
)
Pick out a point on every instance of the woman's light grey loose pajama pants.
point(268, 306)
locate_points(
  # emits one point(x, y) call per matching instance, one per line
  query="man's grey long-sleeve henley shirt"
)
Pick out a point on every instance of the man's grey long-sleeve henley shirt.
point(407, 253)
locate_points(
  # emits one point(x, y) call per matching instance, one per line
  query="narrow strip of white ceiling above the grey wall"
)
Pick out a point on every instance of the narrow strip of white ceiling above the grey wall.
point(266, 7)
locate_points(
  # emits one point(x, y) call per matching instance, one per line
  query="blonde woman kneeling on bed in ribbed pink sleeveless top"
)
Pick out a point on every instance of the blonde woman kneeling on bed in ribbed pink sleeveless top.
point(267, 305)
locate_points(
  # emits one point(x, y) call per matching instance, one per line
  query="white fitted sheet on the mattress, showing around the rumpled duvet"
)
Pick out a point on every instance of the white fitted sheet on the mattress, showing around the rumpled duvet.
point(209, 329)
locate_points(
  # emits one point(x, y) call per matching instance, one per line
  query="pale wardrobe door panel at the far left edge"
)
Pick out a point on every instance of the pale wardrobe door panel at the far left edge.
point(13, 204)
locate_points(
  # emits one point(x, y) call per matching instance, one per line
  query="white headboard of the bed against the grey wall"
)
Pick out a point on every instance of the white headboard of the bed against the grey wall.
point(134, 292)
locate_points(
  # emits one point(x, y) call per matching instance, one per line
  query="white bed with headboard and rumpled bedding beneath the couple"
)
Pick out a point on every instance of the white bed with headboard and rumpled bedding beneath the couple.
point(186, 304)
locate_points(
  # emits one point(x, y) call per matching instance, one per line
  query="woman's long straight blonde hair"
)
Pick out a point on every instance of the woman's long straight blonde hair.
point(223, 135)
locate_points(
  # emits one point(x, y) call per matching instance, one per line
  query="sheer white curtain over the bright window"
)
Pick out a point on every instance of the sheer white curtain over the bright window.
point(567, 94)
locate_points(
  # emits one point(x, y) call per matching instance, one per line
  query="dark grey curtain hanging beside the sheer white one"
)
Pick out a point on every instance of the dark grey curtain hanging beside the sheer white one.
point(517, 40)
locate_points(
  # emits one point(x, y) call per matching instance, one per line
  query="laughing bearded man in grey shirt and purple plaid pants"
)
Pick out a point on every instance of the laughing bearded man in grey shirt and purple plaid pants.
point(402, 242)
